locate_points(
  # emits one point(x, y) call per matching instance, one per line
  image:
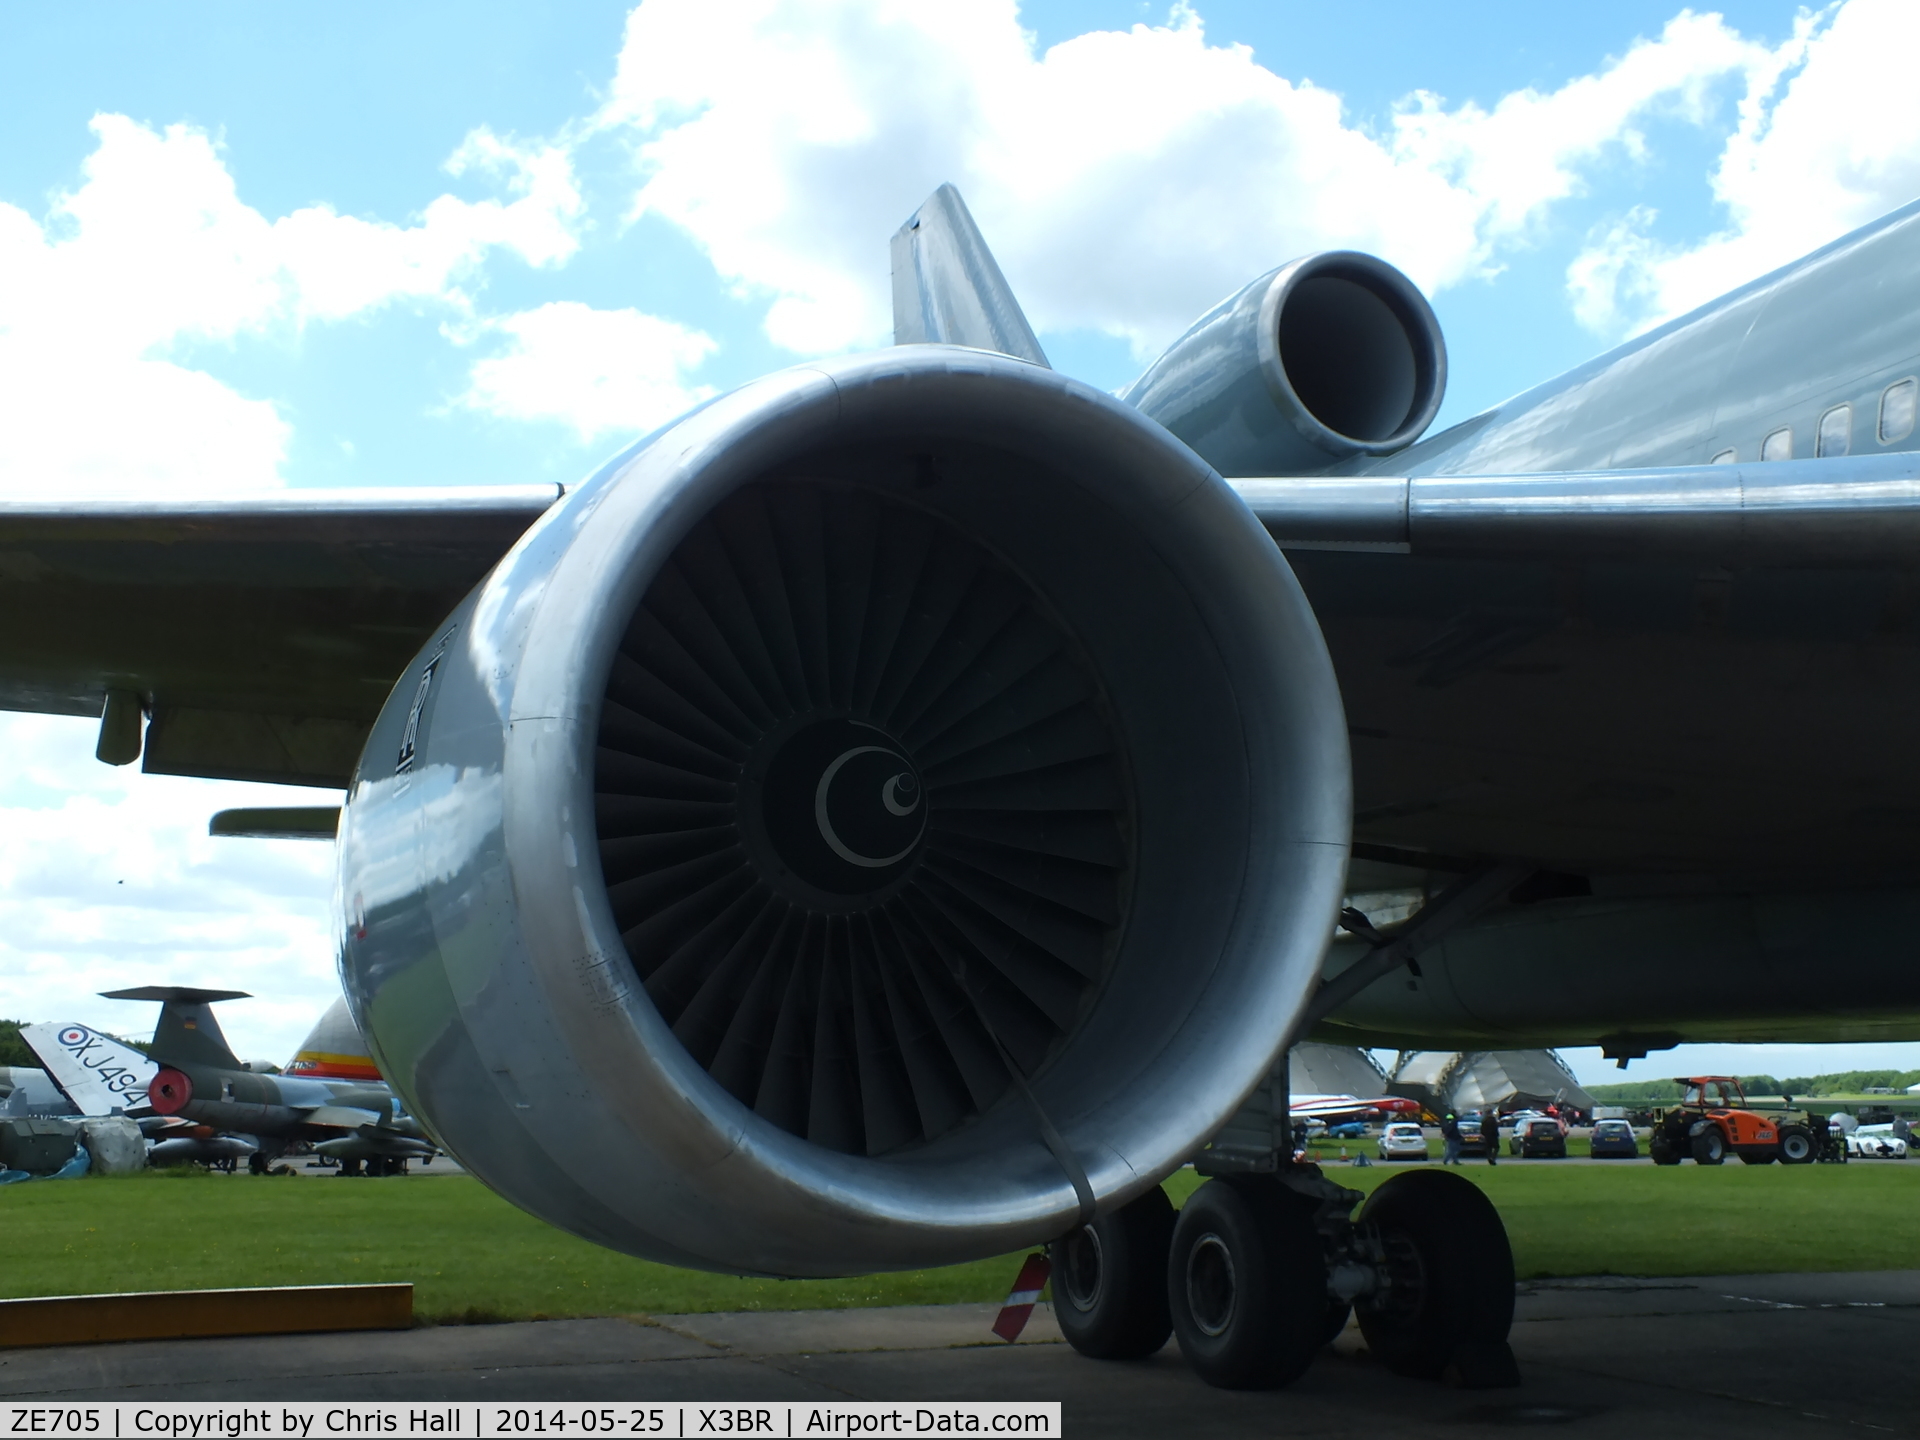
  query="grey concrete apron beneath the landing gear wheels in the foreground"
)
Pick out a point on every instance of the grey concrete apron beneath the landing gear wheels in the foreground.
point(1702, 1358)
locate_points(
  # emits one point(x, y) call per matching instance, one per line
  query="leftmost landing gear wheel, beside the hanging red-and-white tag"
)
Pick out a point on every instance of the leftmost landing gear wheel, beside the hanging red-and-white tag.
point(1111, 1282)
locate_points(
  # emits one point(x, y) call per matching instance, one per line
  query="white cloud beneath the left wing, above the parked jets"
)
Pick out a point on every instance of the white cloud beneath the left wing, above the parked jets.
point(108, 878)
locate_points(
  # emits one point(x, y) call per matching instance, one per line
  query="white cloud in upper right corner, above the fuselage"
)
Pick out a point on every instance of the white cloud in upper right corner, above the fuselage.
point(1825, 143)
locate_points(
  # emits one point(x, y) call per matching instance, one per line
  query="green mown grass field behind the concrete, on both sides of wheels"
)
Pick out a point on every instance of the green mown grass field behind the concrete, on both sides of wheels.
point(473, 1257)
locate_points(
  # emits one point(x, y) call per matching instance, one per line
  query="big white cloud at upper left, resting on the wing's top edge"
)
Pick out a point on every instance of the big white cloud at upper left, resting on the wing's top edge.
point(156, 249)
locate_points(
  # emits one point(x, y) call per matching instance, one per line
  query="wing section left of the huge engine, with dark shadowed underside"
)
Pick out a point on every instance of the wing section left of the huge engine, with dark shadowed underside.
point(260, 635)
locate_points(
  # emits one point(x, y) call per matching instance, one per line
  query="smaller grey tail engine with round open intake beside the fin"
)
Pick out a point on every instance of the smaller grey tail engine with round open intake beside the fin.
point(1318, 362)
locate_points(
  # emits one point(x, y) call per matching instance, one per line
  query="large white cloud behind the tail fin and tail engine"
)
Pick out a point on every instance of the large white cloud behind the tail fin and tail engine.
point(1126, 180)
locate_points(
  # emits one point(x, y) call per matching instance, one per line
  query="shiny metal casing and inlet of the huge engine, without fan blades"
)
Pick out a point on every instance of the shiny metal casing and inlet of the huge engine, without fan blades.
point(479, 944)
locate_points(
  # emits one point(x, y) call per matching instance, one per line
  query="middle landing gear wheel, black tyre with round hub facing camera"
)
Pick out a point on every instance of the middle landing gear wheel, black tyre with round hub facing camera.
point(1247, 1284)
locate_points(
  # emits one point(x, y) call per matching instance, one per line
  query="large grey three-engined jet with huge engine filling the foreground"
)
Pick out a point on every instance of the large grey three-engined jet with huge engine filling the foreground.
point(900, 813)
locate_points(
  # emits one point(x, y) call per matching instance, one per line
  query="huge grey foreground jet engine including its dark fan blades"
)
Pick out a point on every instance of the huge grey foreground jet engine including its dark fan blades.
point(867, 825)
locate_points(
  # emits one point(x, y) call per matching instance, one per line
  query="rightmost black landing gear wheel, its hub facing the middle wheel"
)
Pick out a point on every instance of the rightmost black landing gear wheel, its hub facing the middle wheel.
point(1451, 1303)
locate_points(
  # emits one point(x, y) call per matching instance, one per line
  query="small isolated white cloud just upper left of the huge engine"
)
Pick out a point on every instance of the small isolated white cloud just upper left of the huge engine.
point(602, 372)
